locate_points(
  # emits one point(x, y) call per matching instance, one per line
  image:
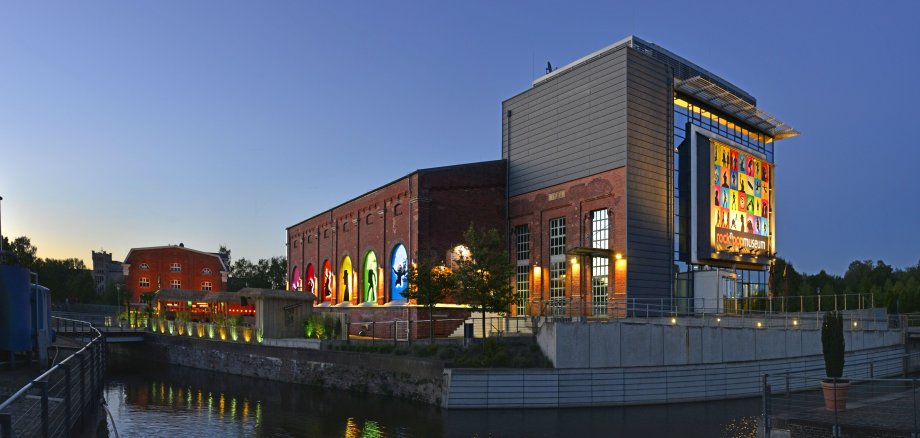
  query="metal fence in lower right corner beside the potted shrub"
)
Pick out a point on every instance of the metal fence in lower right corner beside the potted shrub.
point(805, 404)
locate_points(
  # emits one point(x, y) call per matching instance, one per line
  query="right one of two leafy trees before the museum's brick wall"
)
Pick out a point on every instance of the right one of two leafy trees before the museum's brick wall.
point(484, 276)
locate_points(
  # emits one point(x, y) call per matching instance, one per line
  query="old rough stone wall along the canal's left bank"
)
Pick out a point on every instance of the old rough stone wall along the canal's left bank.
point(404, 377)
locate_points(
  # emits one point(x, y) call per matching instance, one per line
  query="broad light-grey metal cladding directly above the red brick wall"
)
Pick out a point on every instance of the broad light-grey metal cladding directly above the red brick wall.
point(571, 127)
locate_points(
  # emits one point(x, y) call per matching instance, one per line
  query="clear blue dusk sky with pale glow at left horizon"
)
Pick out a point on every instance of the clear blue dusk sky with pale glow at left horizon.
point(132, 124)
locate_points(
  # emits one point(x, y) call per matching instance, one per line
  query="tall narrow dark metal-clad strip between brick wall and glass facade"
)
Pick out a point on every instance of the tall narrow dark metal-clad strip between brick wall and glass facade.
point(649, 246)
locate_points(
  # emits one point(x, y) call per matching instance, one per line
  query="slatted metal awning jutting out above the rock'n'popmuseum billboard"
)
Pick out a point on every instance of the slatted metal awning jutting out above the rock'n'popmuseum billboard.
point(726, 102)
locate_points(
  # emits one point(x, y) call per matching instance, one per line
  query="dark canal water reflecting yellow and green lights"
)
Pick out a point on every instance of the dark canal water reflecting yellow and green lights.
point(156, 400)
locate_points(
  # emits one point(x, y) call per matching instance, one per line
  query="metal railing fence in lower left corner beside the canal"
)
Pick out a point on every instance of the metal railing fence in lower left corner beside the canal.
point(55, 403)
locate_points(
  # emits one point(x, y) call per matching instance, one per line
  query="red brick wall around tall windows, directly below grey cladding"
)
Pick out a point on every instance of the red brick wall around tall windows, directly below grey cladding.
point(574, 200)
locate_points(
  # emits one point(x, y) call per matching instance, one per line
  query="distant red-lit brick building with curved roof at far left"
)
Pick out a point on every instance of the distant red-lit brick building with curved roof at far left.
point(173, 267)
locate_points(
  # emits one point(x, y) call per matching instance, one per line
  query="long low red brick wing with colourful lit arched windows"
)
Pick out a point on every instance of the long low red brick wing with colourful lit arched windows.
point(426, 211)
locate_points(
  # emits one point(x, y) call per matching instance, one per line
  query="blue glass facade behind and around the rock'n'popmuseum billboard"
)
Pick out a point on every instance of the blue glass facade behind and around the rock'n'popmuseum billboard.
point(750, 282)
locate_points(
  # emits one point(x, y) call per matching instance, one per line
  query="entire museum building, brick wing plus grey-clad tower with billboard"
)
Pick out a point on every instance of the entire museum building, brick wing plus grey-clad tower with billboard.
point(630, 177)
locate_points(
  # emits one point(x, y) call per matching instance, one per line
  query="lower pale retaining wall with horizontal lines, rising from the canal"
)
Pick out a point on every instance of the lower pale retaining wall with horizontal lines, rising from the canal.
point(572, 387)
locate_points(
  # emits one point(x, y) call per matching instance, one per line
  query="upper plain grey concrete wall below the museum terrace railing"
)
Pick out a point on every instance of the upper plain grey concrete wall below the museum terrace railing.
point(641, 344)
